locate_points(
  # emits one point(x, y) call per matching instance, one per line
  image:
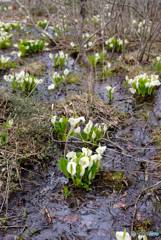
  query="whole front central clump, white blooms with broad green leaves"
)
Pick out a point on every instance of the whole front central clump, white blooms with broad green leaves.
point(81, 167)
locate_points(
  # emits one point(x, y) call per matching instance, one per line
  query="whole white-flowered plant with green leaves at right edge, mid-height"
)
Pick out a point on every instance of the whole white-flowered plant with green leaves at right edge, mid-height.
point(143, 84)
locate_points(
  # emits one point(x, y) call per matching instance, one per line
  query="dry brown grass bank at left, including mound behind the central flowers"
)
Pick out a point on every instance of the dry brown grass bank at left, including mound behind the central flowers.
point(29, 139)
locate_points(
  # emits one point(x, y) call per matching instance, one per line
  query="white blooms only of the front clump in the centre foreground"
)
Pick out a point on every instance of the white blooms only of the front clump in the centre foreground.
point(86, 161)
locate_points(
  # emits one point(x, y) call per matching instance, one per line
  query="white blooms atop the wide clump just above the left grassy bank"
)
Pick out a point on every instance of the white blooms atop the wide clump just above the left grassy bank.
point(21, 77)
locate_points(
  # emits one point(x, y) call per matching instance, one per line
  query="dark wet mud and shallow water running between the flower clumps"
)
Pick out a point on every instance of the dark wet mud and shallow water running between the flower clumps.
point(109, 205)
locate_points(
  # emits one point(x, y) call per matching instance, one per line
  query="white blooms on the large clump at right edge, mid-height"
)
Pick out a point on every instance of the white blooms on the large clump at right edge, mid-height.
point(148, 81)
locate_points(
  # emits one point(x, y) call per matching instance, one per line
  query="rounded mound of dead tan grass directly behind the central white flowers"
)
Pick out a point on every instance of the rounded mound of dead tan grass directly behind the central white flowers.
point(88, 106)
